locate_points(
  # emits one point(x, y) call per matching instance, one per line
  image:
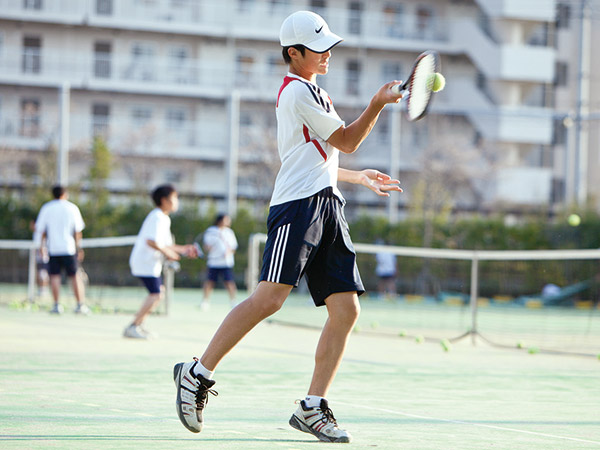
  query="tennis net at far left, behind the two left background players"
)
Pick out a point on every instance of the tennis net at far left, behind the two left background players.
point(109, 285)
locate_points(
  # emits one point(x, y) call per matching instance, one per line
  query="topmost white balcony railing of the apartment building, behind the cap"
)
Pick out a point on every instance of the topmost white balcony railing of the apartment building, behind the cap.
point(225, 18)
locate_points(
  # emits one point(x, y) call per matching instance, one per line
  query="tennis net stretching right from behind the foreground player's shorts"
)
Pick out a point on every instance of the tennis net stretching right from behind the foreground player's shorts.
point(533, 300)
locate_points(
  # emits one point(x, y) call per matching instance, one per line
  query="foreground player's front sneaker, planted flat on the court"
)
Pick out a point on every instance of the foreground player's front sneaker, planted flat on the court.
point(320, 422)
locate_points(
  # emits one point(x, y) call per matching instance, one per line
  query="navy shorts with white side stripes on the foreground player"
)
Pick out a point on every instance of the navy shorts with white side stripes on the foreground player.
point(310, 237)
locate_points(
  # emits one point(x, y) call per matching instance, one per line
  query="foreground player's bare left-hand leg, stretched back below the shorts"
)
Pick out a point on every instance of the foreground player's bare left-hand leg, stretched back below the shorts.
point(264, 301)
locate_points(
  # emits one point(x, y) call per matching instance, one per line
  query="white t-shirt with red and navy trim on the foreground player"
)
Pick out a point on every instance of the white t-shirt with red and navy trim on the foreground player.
point(306, 118)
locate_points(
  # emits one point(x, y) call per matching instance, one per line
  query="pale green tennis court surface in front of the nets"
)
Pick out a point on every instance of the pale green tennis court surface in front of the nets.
point(71, 382)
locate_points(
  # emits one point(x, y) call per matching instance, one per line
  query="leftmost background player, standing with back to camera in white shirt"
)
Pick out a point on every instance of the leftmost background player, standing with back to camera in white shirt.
point(59, 225)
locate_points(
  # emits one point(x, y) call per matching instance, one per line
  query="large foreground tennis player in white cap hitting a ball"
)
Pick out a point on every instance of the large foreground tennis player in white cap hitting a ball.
point(307, 231)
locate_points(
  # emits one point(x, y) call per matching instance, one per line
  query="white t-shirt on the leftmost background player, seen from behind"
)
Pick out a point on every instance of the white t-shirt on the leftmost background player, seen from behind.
point(60, 220)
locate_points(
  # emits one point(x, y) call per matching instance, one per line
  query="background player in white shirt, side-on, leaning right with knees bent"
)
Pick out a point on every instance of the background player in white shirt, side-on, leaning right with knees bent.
point(153, 245)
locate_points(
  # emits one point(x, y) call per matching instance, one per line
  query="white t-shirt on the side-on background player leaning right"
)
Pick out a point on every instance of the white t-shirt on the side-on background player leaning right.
point(144, 260)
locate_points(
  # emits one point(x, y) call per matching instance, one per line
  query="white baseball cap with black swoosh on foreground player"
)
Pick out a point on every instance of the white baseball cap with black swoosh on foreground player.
point(308, 29)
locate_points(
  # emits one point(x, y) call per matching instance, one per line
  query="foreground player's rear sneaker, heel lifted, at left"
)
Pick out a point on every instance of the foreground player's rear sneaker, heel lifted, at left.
point(192, 395)
